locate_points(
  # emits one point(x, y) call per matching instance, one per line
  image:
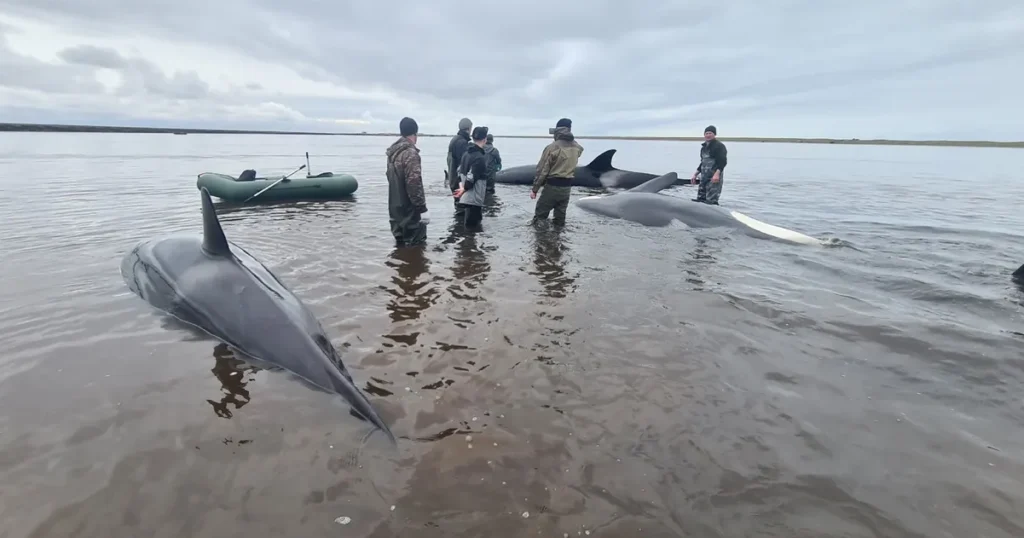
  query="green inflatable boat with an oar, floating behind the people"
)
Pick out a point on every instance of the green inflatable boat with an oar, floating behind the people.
point(326, 186)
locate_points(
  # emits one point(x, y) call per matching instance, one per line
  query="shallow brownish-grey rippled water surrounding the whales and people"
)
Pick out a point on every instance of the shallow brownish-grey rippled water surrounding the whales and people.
point(612, 379)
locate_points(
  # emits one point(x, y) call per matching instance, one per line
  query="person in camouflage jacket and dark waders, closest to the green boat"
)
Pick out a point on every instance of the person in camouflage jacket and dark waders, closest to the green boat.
point(405, 196)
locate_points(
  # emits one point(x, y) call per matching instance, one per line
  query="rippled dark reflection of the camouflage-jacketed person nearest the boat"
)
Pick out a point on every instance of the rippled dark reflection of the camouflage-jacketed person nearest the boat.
point(411, 295)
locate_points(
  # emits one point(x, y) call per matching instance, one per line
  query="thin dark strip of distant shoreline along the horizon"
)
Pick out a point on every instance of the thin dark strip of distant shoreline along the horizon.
point(40, 128)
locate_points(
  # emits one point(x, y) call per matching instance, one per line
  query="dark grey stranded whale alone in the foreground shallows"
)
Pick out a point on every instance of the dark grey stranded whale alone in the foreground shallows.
point(217, 286)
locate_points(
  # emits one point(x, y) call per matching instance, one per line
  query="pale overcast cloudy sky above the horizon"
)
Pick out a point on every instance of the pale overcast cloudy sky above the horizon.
point(871, 69)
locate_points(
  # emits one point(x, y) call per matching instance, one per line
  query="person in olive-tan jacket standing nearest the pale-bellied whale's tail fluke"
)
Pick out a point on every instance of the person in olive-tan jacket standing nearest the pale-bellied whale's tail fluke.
point(556, 172)
